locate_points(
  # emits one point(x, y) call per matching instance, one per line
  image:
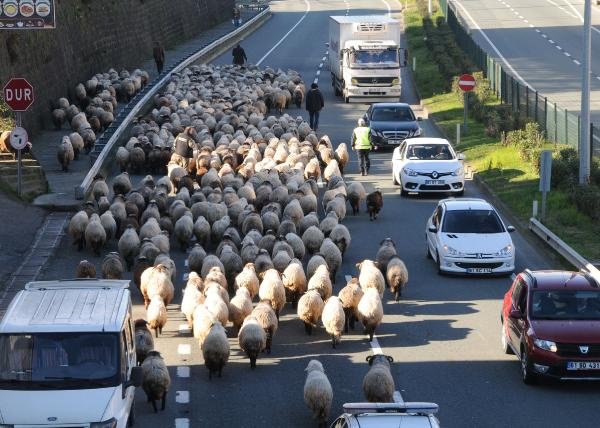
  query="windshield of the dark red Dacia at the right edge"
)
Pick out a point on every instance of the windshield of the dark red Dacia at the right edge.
point(566, 305)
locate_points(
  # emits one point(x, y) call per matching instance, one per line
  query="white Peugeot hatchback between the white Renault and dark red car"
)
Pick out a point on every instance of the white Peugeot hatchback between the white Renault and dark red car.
point(468, 236)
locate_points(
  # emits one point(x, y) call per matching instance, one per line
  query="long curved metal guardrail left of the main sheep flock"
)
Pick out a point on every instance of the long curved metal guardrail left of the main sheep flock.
point(108, 143)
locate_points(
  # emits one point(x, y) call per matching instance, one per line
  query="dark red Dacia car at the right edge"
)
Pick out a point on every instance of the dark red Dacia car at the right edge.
point(551, 321)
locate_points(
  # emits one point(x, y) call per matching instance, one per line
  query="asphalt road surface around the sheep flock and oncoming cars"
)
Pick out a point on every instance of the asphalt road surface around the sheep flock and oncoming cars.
point(443, 335)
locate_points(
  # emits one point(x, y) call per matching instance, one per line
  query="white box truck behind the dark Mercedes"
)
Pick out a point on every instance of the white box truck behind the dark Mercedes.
point(365, 57)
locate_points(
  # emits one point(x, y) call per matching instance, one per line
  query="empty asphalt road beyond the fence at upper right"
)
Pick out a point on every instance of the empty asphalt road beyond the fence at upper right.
point(542, 40)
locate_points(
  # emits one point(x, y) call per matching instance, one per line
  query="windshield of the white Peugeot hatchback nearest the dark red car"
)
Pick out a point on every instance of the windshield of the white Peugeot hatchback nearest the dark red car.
point(472, 221)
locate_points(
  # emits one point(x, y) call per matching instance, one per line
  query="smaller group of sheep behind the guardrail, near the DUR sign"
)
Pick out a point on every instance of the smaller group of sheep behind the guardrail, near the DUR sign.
point(93, 110)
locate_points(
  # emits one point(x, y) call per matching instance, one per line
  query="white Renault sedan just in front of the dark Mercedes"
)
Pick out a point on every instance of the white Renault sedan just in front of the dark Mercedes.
point(428, 165)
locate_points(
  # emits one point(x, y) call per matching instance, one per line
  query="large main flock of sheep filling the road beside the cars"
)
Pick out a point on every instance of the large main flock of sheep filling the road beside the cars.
point(246, 209)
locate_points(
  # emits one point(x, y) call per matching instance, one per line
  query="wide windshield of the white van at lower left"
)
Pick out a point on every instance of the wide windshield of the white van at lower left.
point(59, 361)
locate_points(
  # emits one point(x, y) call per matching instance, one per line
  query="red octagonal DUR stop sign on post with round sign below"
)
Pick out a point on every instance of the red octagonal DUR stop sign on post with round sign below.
point(18, 95)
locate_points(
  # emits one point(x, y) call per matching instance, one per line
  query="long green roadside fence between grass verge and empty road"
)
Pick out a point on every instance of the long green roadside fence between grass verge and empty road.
point(559, 125)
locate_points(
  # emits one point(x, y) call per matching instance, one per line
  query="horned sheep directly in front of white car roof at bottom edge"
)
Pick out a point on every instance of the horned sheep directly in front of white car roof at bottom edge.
point(378, 383)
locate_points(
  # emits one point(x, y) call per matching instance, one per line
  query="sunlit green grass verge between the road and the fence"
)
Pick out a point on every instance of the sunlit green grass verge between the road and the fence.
point(512, 179)
